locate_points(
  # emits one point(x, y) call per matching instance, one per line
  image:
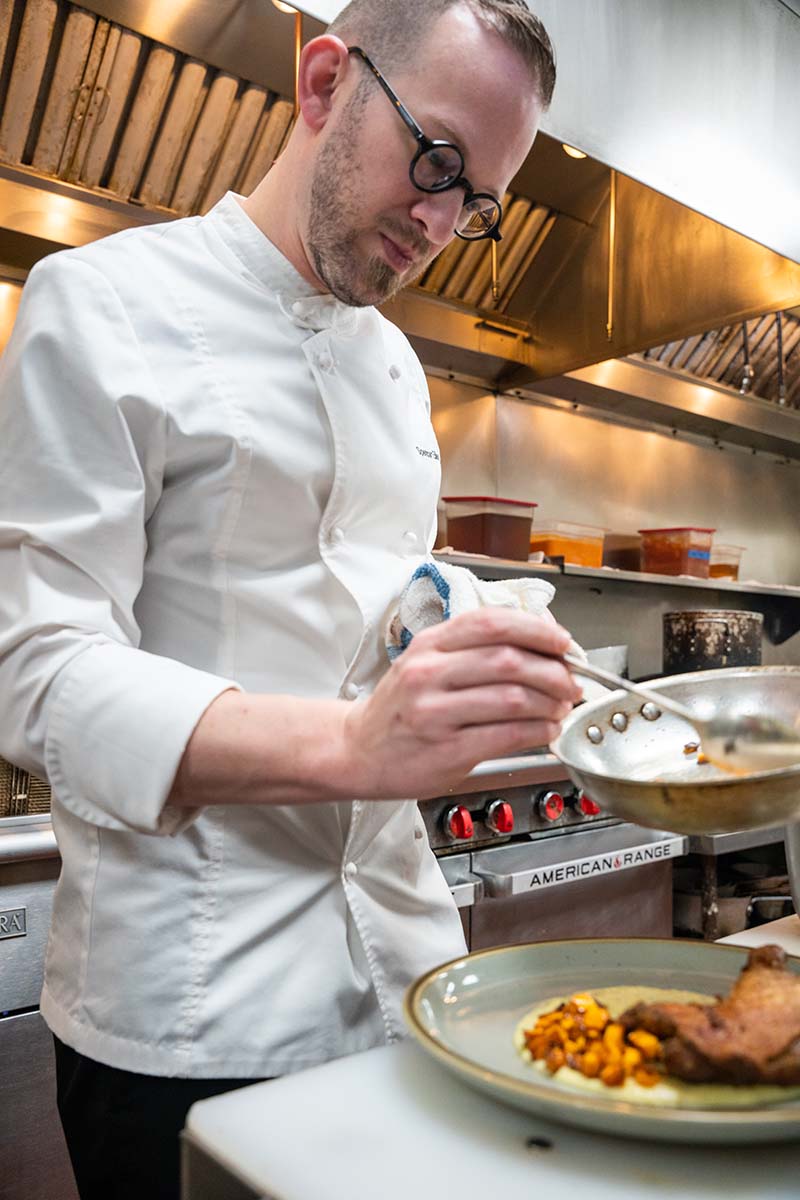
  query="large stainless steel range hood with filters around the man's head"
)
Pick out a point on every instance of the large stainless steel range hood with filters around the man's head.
point(124, 112)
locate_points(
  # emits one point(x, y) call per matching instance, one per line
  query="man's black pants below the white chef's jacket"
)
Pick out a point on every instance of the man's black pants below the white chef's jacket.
point(123, 1129)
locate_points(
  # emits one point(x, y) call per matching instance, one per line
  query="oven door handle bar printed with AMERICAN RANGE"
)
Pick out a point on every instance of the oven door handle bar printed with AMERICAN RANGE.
point(536, 877)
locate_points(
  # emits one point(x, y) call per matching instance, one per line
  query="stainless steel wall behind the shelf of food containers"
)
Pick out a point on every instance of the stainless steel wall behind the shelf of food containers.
point(579, 467)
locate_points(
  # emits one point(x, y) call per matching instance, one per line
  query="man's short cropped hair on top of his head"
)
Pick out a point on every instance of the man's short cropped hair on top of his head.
point(392, 32)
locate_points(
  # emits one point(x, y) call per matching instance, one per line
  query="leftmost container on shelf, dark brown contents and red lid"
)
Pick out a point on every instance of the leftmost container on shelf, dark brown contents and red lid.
point(489, 525)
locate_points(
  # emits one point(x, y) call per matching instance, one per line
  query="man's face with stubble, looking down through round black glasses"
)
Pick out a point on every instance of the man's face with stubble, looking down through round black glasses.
point(370, 231)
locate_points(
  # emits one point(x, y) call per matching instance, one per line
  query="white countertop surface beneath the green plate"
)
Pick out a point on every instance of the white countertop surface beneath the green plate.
point(393, 1125)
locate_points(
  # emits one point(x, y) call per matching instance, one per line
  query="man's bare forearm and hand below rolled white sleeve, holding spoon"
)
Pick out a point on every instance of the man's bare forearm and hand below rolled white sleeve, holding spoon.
point(477, 687)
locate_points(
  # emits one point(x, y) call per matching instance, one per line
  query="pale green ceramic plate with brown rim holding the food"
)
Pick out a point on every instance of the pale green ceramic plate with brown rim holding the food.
point(465, 1015)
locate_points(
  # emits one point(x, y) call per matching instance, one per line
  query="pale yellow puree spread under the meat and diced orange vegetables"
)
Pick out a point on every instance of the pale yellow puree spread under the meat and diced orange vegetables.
point(670, 1093)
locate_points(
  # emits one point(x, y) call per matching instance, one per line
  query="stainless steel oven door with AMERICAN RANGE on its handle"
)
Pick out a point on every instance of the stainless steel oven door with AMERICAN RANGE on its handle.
point(611, 883)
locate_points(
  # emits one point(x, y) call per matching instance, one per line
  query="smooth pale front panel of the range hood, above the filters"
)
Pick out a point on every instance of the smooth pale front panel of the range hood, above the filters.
point(699, 101)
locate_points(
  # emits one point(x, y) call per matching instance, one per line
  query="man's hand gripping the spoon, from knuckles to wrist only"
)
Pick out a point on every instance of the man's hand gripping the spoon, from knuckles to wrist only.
point(480, 686)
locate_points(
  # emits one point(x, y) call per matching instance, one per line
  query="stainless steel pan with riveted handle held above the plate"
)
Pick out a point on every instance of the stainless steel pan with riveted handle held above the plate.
point(631, 759)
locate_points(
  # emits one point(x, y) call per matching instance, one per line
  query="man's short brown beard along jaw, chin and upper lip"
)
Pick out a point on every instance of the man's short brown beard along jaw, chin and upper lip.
point(334, 231)
